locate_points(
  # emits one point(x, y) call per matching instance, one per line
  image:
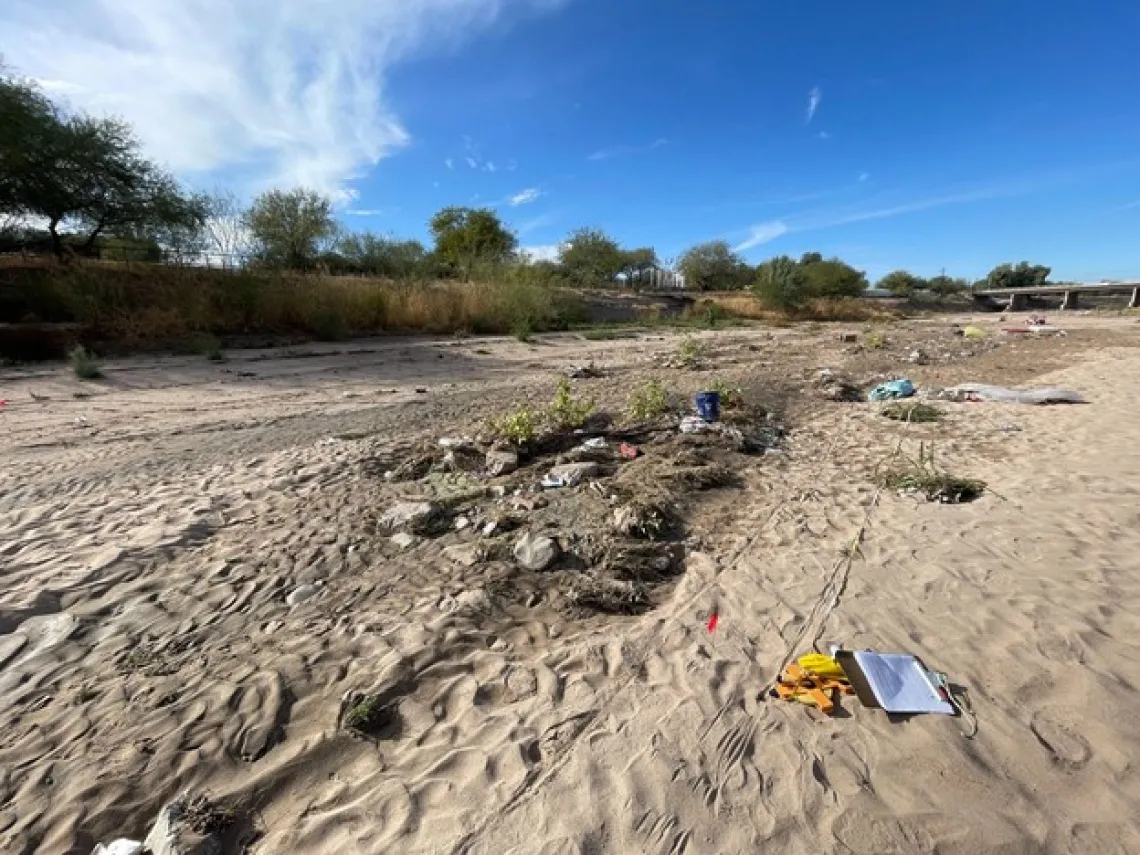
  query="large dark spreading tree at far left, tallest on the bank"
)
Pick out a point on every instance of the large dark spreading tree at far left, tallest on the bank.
point(87, 176)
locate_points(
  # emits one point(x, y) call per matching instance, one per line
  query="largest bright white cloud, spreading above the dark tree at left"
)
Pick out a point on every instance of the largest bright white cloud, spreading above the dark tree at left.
point(284, 93)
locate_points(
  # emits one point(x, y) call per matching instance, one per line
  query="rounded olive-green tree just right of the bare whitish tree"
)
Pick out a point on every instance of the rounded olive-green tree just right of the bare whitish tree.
point(290, 229)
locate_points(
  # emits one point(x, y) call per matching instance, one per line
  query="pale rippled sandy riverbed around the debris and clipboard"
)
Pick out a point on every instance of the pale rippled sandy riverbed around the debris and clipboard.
point(152, 528)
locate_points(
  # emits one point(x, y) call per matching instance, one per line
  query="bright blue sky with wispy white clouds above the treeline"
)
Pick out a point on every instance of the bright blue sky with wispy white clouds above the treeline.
point(893, 134)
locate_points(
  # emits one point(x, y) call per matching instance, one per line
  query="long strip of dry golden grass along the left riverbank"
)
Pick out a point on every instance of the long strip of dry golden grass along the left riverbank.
point(141, 306)
